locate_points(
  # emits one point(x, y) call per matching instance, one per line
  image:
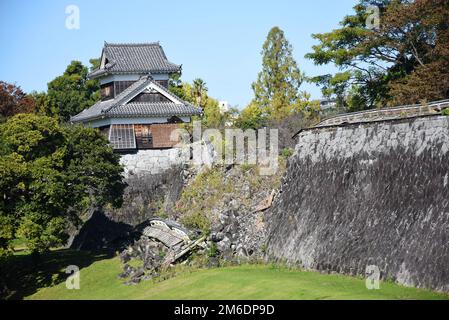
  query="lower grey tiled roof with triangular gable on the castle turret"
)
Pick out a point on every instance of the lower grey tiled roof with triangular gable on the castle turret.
point(120, 106)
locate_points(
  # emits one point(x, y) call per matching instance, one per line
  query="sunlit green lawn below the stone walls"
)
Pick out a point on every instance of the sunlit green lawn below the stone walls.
point(99, 281)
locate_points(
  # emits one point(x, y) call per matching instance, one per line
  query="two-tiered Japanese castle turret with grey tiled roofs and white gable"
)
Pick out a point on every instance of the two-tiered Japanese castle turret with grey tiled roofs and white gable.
point(136, 111)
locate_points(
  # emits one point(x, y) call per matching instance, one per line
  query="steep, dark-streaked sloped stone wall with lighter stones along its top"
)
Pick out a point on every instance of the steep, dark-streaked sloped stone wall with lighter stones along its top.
point(368, 194)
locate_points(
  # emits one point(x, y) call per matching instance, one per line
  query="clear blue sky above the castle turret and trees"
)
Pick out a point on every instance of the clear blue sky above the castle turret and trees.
point(219, 41)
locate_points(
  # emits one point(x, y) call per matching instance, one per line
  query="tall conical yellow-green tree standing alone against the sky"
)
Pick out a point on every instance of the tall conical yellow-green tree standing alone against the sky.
point(277, 86)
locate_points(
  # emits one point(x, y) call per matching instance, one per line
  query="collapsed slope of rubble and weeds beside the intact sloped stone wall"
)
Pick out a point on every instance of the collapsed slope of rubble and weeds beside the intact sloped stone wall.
point(234, 199)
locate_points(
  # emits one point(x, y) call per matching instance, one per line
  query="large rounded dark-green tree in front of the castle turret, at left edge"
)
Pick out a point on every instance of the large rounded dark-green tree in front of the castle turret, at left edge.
point(49, 174)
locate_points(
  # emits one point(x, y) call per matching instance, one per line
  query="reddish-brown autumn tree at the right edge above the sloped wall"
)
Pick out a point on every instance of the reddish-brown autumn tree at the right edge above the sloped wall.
point(428, 22)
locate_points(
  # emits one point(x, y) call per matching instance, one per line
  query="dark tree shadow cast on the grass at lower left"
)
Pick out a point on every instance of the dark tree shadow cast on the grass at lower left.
point(23, 274)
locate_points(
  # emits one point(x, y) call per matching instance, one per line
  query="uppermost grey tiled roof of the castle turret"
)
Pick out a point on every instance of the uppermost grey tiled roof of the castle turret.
point(142, 58)
